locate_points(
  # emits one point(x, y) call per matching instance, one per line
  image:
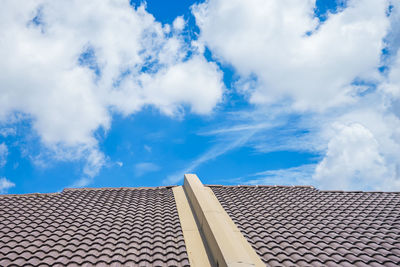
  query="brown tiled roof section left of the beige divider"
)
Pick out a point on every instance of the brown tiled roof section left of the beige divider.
point(129, 227)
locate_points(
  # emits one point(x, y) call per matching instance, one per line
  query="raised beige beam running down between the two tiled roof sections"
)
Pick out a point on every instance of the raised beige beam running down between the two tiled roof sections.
point(225, 242)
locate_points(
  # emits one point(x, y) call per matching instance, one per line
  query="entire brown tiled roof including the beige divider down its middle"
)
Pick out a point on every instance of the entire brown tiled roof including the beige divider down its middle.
point(229, 225)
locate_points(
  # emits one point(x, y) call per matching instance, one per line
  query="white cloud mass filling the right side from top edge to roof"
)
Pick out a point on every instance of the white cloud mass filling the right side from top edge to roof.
point(329, 71)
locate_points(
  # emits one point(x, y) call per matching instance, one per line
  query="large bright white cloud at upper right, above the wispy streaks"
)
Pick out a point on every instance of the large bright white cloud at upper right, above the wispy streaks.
point(291, 53)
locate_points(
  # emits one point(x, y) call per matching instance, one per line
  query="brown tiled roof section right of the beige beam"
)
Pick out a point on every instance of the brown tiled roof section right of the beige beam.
point(303, 226)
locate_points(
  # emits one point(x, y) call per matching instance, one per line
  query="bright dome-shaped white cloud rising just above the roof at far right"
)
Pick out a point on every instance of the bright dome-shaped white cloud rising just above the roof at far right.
point(354, 158)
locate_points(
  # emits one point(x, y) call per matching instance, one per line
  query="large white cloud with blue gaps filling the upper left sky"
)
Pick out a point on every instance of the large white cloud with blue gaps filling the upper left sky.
point(68, 65)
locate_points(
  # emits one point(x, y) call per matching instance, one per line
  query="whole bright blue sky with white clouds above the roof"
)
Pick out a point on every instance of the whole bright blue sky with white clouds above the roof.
point(137, 93)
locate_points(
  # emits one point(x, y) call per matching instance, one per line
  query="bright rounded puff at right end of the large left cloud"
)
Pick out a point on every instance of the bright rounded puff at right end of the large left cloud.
point(196, 83)
